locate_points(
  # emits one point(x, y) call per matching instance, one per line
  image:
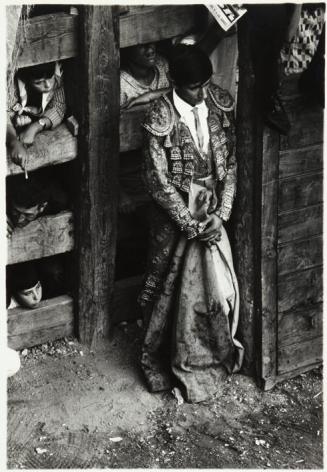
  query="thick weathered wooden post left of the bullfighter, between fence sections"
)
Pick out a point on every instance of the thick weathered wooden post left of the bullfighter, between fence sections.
point(98, 154)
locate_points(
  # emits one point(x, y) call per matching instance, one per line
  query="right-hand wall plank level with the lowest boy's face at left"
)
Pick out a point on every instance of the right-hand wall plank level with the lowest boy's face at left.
point(299, 290)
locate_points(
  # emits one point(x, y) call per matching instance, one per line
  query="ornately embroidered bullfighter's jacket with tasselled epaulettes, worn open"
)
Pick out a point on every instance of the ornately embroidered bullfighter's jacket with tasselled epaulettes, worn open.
point(170, 152)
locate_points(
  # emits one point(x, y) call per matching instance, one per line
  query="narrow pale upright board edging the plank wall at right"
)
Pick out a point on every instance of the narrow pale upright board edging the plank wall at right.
point(270, 157)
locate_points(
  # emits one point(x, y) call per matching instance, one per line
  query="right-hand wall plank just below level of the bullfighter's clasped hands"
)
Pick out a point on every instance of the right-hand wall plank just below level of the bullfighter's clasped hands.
point(300, 254)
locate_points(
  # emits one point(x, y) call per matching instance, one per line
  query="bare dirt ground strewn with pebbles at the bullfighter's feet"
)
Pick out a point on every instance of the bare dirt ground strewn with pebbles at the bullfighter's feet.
point(70, 408)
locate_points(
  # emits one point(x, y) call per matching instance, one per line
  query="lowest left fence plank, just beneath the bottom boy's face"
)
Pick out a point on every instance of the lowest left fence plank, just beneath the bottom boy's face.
point(52, 319)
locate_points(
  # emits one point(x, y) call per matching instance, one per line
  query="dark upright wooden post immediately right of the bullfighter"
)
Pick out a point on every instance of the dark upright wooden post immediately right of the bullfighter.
point(244, 207)
